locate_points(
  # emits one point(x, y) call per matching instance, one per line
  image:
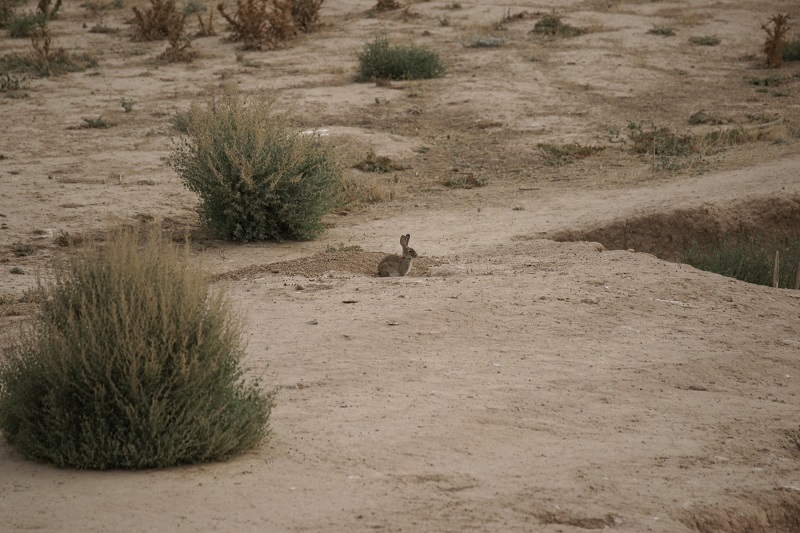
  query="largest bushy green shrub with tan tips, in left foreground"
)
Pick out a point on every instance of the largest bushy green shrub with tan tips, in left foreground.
point(133, 363)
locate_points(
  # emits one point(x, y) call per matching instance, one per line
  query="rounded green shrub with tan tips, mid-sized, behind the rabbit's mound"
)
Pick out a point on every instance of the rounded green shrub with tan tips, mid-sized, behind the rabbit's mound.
point(257, 179)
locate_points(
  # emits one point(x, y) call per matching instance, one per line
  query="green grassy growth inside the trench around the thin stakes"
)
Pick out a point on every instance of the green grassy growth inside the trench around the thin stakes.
point(749, 259)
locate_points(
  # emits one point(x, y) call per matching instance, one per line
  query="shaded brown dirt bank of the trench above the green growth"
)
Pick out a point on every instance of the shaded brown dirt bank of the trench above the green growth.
point(668, 234)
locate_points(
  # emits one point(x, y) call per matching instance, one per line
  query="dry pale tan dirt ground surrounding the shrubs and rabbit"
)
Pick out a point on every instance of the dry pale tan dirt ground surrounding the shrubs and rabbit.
point(512, 382)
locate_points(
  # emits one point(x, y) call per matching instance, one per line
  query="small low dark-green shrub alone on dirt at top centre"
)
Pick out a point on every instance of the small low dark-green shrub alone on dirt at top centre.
point(380, 60)
